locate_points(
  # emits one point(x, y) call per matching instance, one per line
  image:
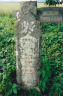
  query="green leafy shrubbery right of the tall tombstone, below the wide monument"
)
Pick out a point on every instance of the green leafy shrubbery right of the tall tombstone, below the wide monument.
point(51, 81)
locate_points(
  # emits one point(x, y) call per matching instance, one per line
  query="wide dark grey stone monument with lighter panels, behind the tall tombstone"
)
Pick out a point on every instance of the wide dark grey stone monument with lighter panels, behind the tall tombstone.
point(50, 14)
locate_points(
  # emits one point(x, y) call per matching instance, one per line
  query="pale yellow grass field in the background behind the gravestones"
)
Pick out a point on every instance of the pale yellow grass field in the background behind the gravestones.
point(7, 8)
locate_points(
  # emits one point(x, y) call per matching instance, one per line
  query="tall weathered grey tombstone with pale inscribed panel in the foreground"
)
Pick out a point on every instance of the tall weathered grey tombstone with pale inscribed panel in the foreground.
point(28, 37)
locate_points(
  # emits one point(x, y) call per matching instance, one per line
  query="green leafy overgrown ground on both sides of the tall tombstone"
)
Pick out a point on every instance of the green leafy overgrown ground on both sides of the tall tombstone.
point(51, 66)
